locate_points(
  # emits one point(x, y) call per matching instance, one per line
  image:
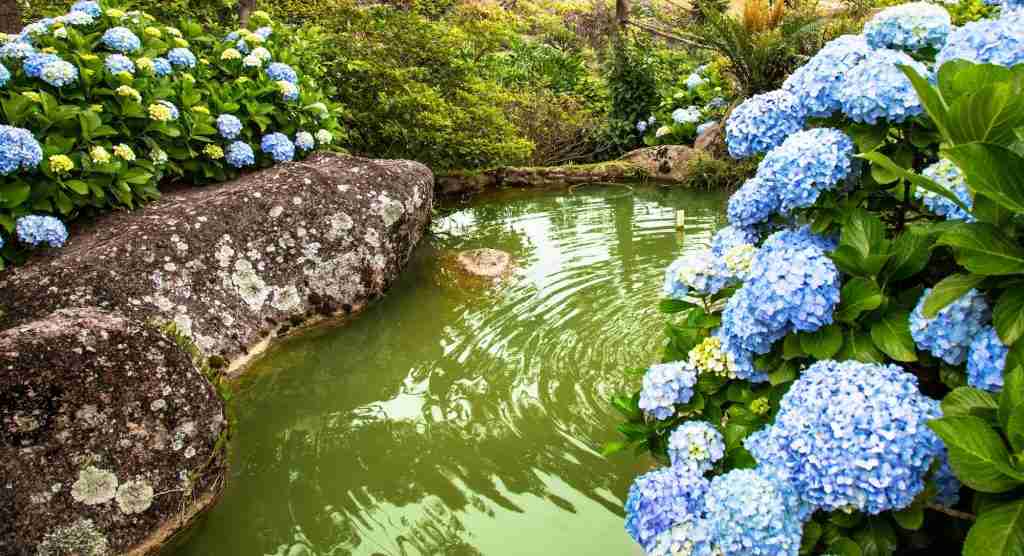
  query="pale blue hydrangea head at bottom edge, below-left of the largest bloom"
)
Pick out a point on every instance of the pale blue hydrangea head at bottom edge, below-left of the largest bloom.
point(750, 514)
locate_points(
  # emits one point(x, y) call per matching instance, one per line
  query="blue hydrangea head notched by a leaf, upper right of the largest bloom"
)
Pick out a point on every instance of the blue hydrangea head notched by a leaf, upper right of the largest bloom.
point(949, 335)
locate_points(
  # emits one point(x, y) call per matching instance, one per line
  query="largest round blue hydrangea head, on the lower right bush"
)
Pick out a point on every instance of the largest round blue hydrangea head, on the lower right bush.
point(851, 437)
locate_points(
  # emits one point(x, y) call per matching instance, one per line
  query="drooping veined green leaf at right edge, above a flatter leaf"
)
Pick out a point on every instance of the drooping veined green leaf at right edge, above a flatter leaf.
point(992, 170)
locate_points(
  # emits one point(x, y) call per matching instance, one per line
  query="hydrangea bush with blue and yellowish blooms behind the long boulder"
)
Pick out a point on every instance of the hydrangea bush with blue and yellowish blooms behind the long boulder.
point(101, 106)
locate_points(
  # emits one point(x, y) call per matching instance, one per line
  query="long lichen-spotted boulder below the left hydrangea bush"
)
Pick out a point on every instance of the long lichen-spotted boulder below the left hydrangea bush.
point(230, 264)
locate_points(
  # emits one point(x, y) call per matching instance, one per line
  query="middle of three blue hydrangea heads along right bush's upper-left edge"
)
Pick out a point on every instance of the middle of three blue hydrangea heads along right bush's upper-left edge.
point(818, 82)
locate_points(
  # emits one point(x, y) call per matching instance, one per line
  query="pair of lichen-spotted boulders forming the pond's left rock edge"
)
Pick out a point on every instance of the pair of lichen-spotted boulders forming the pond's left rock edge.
point(112, 436)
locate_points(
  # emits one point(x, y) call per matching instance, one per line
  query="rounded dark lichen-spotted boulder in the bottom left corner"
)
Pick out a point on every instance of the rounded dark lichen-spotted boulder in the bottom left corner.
point(98, 413)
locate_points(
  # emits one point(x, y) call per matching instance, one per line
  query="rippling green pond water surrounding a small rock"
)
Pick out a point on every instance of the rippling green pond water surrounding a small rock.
point(449, 419)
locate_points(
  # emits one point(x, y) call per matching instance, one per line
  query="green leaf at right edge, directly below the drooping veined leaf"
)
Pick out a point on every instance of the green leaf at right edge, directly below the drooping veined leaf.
point(984, 249)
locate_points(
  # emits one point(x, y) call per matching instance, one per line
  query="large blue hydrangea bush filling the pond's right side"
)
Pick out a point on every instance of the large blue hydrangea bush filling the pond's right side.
point(852, 339)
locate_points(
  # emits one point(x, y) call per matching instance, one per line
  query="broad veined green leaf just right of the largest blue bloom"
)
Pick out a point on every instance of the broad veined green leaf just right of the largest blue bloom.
point(977, 453)
